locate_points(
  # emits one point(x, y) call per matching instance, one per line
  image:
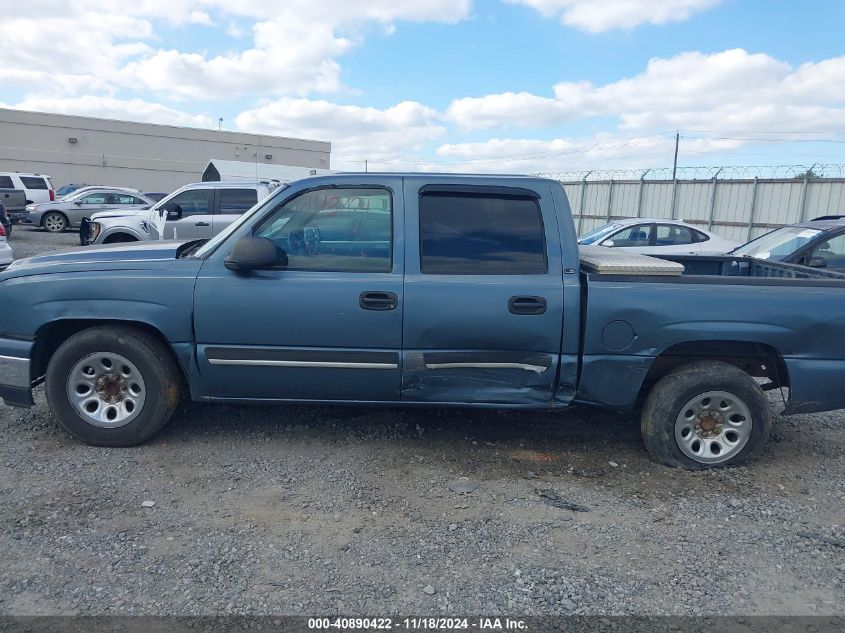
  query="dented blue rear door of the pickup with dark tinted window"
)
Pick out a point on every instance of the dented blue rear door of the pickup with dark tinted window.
point(483, 294)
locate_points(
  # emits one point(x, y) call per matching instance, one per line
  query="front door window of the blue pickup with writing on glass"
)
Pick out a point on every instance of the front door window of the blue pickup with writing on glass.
point(347, 230)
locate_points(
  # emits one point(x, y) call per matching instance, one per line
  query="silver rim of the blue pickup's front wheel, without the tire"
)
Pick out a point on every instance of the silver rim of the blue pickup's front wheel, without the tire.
point(106, 390)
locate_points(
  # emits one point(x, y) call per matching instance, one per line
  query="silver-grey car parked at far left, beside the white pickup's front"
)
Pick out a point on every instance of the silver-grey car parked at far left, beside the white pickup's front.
point(57, 216)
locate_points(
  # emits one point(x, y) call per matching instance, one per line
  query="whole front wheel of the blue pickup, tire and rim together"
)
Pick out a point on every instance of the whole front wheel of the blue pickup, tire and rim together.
point(112, 386)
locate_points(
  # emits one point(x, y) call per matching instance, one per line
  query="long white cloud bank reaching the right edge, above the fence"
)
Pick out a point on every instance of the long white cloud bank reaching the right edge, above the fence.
point(730, 91)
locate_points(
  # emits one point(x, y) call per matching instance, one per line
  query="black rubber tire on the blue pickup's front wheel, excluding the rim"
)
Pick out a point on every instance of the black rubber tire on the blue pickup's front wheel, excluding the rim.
point(153, 359)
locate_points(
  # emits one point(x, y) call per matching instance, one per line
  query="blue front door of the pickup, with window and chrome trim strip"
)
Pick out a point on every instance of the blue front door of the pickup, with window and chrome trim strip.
point(326, 324)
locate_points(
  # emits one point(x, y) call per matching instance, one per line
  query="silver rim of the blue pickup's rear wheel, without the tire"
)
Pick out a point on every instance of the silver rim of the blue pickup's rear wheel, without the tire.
point(713, 427)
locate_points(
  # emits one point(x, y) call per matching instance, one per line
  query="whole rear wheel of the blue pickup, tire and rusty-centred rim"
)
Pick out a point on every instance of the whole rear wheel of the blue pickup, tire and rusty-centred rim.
point(707, 414)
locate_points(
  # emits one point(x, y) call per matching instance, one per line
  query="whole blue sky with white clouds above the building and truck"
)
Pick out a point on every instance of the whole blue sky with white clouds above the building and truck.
point(453, 85)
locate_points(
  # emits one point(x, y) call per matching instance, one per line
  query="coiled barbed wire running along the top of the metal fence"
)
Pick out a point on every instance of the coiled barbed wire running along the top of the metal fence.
point(726, 172)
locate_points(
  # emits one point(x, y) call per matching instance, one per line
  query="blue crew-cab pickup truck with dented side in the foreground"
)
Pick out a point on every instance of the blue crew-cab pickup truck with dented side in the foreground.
point(421, 289)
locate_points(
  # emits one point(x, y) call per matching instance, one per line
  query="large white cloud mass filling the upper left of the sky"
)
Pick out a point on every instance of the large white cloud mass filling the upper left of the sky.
point(295, 47)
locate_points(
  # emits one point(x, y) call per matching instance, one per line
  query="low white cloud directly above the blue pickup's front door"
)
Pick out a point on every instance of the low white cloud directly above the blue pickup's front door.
point(357, 133)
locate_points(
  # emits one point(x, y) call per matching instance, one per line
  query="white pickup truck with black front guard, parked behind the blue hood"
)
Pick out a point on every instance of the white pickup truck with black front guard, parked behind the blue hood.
point(196, 211)
